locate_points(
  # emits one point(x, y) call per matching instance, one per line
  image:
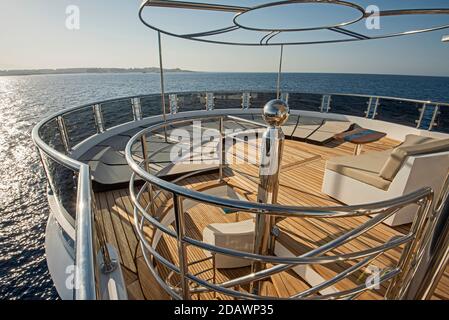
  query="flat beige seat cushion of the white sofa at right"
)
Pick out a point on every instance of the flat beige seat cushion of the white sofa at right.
point(364, 168)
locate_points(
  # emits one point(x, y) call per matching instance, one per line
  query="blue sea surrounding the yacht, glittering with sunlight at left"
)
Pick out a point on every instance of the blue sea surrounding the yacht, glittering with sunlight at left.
point(24, 100)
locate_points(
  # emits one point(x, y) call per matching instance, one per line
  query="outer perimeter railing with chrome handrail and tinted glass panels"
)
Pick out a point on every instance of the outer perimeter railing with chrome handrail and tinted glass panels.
point(58, 135)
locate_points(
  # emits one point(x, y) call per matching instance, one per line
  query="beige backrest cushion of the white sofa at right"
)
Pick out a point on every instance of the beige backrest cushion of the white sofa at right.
point(412, 145)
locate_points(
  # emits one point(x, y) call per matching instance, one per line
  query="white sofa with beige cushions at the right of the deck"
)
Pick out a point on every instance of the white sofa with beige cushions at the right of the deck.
point(376, 176)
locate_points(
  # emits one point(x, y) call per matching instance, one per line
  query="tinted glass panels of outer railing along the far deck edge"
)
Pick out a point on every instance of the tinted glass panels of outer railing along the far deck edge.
point(95, 117)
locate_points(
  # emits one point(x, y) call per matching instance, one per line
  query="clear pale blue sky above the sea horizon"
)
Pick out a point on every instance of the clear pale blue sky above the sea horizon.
point(34, 35)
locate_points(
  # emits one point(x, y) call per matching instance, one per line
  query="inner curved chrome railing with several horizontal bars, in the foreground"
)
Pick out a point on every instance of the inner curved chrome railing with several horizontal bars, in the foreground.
point(400, 275)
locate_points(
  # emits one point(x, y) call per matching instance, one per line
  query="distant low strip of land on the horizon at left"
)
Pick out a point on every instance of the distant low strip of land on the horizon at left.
point(85, 70)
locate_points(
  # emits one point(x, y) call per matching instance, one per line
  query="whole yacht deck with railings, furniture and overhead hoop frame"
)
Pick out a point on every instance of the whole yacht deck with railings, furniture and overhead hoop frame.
point(249, 195)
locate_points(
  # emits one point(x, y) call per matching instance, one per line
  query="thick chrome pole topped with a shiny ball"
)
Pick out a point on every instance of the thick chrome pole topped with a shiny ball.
point(275, 114)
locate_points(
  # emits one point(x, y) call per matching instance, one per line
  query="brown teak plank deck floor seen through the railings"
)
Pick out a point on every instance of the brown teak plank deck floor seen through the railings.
point(300, 184)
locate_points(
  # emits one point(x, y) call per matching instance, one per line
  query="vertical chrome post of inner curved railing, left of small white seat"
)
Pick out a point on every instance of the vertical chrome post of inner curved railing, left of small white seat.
point(182, 247)
